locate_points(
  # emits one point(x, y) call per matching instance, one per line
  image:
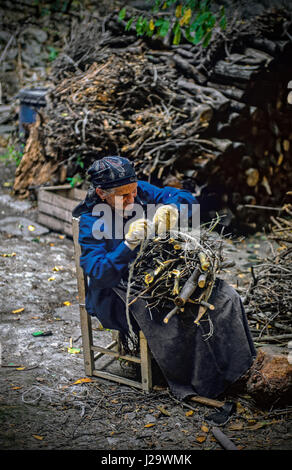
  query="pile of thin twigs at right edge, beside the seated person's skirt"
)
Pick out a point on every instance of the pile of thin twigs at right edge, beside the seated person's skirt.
point(269, 296)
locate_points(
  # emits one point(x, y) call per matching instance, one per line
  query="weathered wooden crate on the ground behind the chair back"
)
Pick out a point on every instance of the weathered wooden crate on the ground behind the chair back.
point(55, 205)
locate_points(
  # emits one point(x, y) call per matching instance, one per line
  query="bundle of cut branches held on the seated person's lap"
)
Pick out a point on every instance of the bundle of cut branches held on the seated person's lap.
point(176, 271)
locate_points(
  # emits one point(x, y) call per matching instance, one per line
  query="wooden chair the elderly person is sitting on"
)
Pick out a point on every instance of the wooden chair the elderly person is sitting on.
point(113, 349)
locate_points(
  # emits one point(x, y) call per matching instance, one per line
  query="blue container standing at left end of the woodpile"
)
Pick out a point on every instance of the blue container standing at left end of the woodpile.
point(31, 99)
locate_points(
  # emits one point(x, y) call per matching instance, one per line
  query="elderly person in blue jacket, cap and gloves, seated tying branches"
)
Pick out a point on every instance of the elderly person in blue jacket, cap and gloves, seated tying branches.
point(110, 241)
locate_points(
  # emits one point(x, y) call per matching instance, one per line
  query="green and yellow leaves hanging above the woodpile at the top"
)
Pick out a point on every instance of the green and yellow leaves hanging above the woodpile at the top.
point(193, 17)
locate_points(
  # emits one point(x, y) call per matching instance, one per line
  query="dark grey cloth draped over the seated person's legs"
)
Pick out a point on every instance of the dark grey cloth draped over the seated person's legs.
point(199, 360)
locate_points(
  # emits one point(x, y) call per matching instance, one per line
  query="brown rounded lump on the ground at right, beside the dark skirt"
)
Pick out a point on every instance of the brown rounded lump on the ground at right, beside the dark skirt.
point(269, 379)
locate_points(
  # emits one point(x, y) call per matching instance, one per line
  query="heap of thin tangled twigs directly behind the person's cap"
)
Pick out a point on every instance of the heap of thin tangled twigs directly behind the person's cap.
point(122, 103)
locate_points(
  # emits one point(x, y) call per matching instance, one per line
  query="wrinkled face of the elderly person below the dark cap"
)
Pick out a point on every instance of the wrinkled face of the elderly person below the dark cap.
point(120, 198)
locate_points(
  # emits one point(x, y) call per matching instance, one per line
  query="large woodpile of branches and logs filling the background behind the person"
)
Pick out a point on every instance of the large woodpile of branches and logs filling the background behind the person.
point(215, 121)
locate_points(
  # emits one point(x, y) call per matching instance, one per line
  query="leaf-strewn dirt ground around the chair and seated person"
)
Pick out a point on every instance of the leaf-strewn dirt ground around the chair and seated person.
point(45, 405)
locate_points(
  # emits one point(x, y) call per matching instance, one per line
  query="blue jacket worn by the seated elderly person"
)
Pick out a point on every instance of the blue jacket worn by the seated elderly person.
point(105, 261)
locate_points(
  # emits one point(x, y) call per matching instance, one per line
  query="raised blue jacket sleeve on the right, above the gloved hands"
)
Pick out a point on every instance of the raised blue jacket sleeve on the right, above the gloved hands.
point(166, 195)
